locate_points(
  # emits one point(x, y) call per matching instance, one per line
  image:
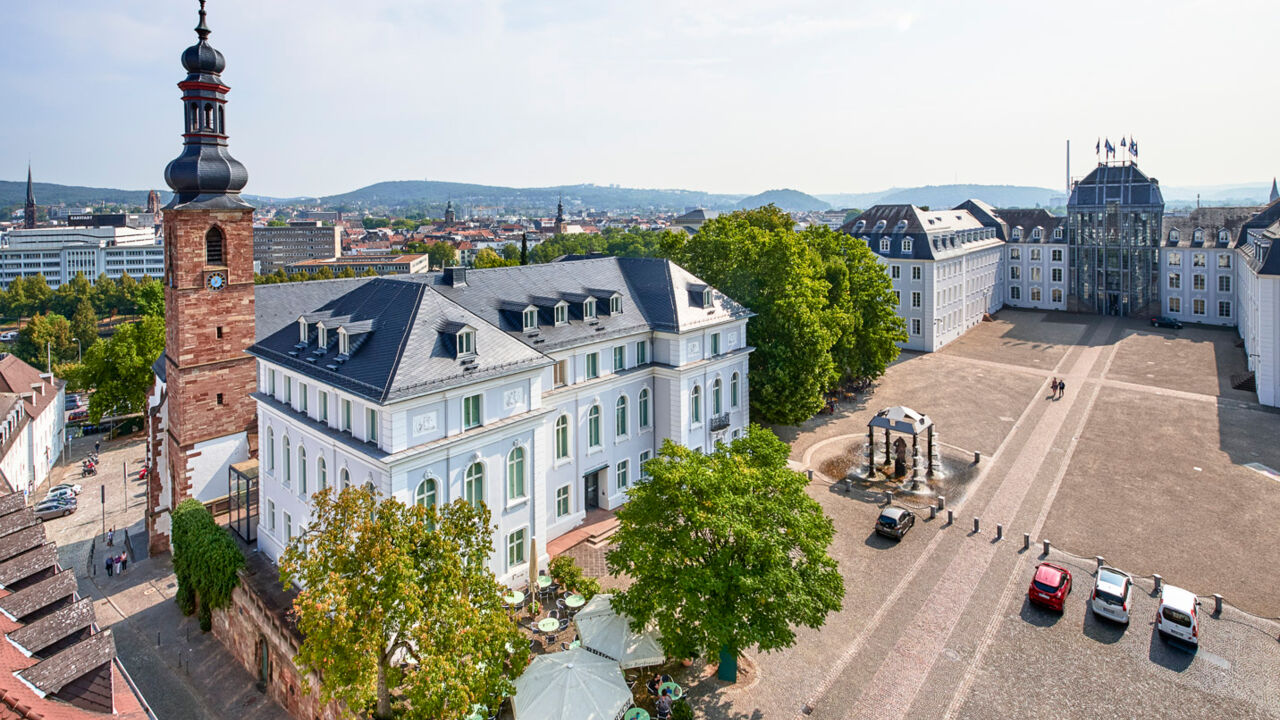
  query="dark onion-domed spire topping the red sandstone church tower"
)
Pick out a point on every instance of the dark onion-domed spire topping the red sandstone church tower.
point(205, 176)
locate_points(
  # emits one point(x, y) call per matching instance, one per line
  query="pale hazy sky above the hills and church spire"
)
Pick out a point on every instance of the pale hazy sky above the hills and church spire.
point(716, 95)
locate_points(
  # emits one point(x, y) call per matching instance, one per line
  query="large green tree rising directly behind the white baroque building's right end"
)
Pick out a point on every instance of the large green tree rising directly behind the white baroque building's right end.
point(757, 258)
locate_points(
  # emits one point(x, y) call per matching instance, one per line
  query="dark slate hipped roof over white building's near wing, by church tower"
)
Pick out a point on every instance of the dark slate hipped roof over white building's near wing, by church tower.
point(399, 318)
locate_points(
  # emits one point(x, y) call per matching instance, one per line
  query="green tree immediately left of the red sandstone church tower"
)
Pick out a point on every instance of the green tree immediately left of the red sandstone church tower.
point(120, 367)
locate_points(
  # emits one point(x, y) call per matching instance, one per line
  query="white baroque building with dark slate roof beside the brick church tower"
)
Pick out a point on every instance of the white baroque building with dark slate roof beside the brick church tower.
point(538, 390)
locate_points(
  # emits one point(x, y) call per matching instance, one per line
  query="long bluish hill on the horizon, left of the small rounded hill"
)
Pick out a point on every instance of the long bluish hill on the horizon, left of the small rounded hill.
point(408, 194)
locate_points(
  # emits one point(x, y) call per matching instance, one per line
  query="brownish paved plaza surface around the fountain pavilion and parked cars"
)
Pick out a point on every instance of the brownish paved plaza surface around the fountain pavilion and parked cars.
point(1140, 462)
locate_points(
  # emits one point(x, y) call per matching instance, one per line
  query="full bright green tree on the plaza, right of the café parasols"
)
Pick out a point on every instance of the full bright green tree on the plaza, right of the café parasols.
point(726, 552)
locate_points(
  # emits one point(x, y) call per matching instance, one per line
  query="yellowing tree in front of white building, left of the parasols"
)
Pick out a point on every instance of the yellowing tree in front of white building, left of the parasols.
point(399, 601)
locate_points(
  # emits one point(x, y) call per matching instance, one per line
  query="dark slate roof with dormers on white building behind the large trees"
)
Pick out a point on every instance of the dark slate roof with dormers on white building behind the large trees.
point(936, 235)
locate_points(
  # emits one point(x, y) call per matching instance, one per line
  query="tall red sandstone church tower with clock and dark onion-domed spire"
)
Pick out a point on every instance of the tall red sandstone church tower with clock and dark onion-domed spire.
point(209, 299)
